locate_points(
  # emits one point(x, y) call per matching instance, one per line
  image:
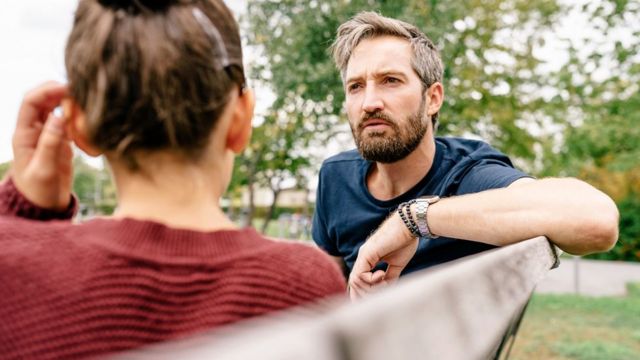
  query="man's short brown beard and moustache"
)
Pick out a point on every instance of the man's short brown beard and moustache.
point(390, 146)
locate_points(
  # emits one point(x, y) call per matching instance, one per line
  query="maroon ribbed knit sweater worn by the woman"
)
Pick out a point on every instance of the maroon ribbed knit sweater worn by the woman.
point(84, 290)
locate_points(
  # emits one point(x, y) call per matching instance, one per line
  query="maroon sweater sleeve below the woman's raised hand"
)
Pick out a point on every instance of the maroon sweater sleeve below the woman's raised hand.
point(13, 203)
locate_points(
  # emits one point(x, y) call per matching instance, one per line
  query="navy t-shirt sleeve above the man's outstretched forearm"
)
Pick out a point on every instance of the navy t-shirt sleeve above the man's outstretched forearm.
point(489, 174)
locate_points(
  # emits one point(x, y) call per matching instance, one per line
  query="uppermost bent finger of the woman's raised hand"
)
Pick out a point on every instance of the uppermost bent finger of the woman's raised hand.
point(39, 102)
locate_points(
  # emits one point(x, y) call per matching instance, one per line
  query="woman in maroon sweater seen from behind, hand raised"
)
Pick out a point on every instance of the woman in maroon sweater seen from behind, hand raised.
point(158, 88)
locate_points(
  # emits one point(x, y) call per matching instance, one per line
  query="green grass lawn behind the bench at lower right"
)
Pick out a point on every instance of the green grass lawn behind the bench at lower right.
point(577, 327)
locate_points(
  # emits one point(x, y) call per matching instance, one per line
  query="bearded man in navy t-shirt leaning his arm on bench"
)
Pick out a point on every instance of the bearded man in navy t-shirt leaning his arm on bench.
point(392, 75)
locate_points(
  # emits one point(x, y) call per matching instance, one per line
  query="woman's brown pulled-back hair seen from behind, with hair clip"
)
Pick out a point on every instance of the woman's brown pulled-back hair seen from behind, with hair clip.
point(153, 74)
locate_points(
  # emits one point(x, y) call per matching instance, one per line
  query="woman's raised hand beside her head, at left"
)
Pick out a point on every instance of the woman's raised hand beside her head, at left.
point(42, 168)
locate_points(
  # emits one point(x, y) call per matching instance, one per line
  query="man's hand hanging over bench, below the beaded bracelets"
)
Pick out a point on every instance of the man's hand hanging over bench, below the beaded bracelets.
point(391, 243)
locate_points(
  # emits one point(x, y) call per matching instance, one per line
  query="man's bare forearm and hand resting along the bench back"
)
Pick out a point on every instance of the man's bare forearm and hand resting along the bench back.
point(574, 215)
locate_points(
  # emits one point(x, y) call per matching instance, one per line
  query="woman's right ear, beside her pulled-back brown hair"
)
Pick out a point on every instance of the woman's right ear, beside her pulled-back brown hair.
point(239, 132)
